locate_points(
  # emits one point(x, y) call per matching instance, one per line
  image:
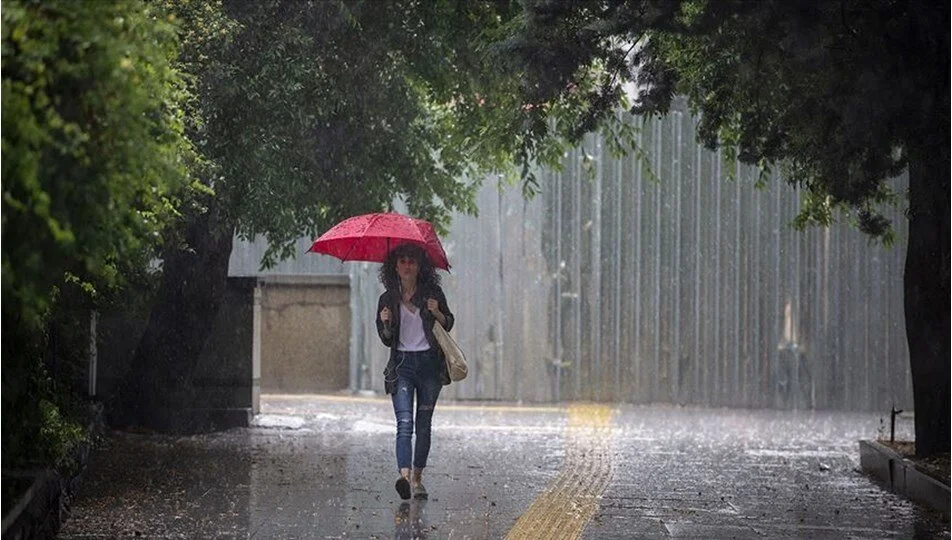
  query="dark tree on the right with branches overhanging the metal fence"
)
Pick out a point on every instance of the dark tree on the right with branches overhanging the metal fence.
point(842, 95)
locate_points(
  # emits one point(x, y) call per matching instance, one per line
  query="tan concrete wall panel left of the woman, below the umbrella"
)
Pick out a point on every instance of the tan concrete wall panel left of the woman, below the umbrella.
point(305, 333)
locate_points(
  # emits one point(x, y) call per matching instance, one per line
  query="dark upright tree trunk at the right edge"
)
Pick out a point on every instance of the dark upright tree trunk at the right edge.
point(926, 289)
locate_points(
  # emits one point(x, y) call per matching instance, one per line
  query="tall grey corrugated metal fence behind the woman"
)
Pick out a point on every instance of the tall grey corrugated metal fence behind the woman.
point(681, 286)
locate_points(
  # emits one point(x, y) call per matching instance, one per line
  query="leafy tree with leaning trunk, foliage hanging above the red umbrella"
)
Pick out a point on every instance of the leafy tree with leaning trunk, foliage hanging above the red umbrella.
point(306, 113)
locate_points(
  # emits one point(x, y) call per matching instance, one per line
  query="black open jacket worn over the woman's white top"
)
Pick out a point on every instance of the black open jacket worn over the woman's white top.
point(391, 337)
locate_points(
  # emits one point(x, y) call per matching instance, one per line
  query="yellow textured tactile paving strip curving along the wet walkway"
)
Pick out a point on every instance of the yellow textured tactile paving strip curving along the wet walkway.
point(565, 507)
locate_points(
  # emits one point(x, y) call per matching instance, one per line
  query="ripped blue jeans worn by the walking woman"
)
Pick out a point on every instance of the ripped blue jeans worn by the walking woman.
point(417, 376)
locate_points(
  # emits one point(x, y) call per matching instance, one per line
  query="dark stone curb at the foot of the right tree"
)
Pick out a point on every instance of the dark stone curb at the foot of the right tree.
point(901, 476)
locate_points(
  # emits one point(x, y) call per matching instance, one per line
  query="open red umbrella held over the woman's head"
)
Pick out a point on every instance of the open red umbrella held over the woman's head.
point(370, 237)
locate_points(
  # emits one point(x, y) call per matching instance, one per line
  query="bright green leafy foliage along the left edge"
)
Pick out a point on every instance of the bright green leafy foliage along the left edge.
point(93, 160)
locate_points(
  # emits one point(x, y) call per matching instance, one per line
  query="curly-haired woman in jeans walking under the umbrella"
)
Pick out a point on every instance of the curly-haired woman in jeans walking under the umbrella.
point(406, 312)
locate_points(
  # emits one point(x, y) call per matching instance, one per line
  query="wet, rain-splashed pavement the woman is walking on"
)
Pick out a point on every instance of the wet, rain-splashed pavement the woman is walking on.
point(323, 467)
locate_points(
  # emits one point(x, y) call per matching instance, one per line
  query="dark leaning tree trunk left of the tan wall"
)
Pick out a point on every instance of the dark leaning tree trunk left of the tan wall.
point(194, 281)
